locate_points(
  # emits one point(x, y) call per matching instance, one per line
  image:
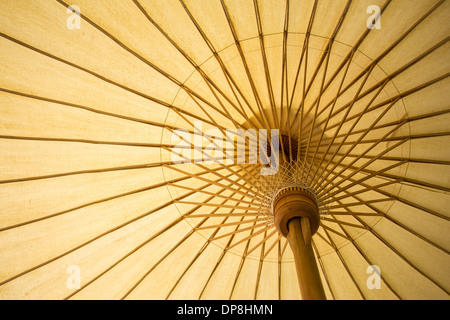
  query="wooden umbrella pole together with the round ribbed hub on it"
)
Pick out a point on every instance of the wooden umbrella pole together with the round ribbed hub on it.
point(296, 216)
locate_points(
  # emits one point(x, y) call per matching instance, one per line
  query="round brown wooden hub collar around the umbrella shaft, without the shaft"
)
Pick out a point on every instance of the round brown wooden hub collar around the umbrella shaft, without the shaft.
point(295, 202)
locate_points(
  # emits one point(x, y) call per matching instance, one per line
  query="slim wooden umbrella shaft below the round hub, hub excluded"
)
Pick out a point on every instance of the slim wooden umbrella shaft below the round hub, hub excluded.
point(299, 238)
